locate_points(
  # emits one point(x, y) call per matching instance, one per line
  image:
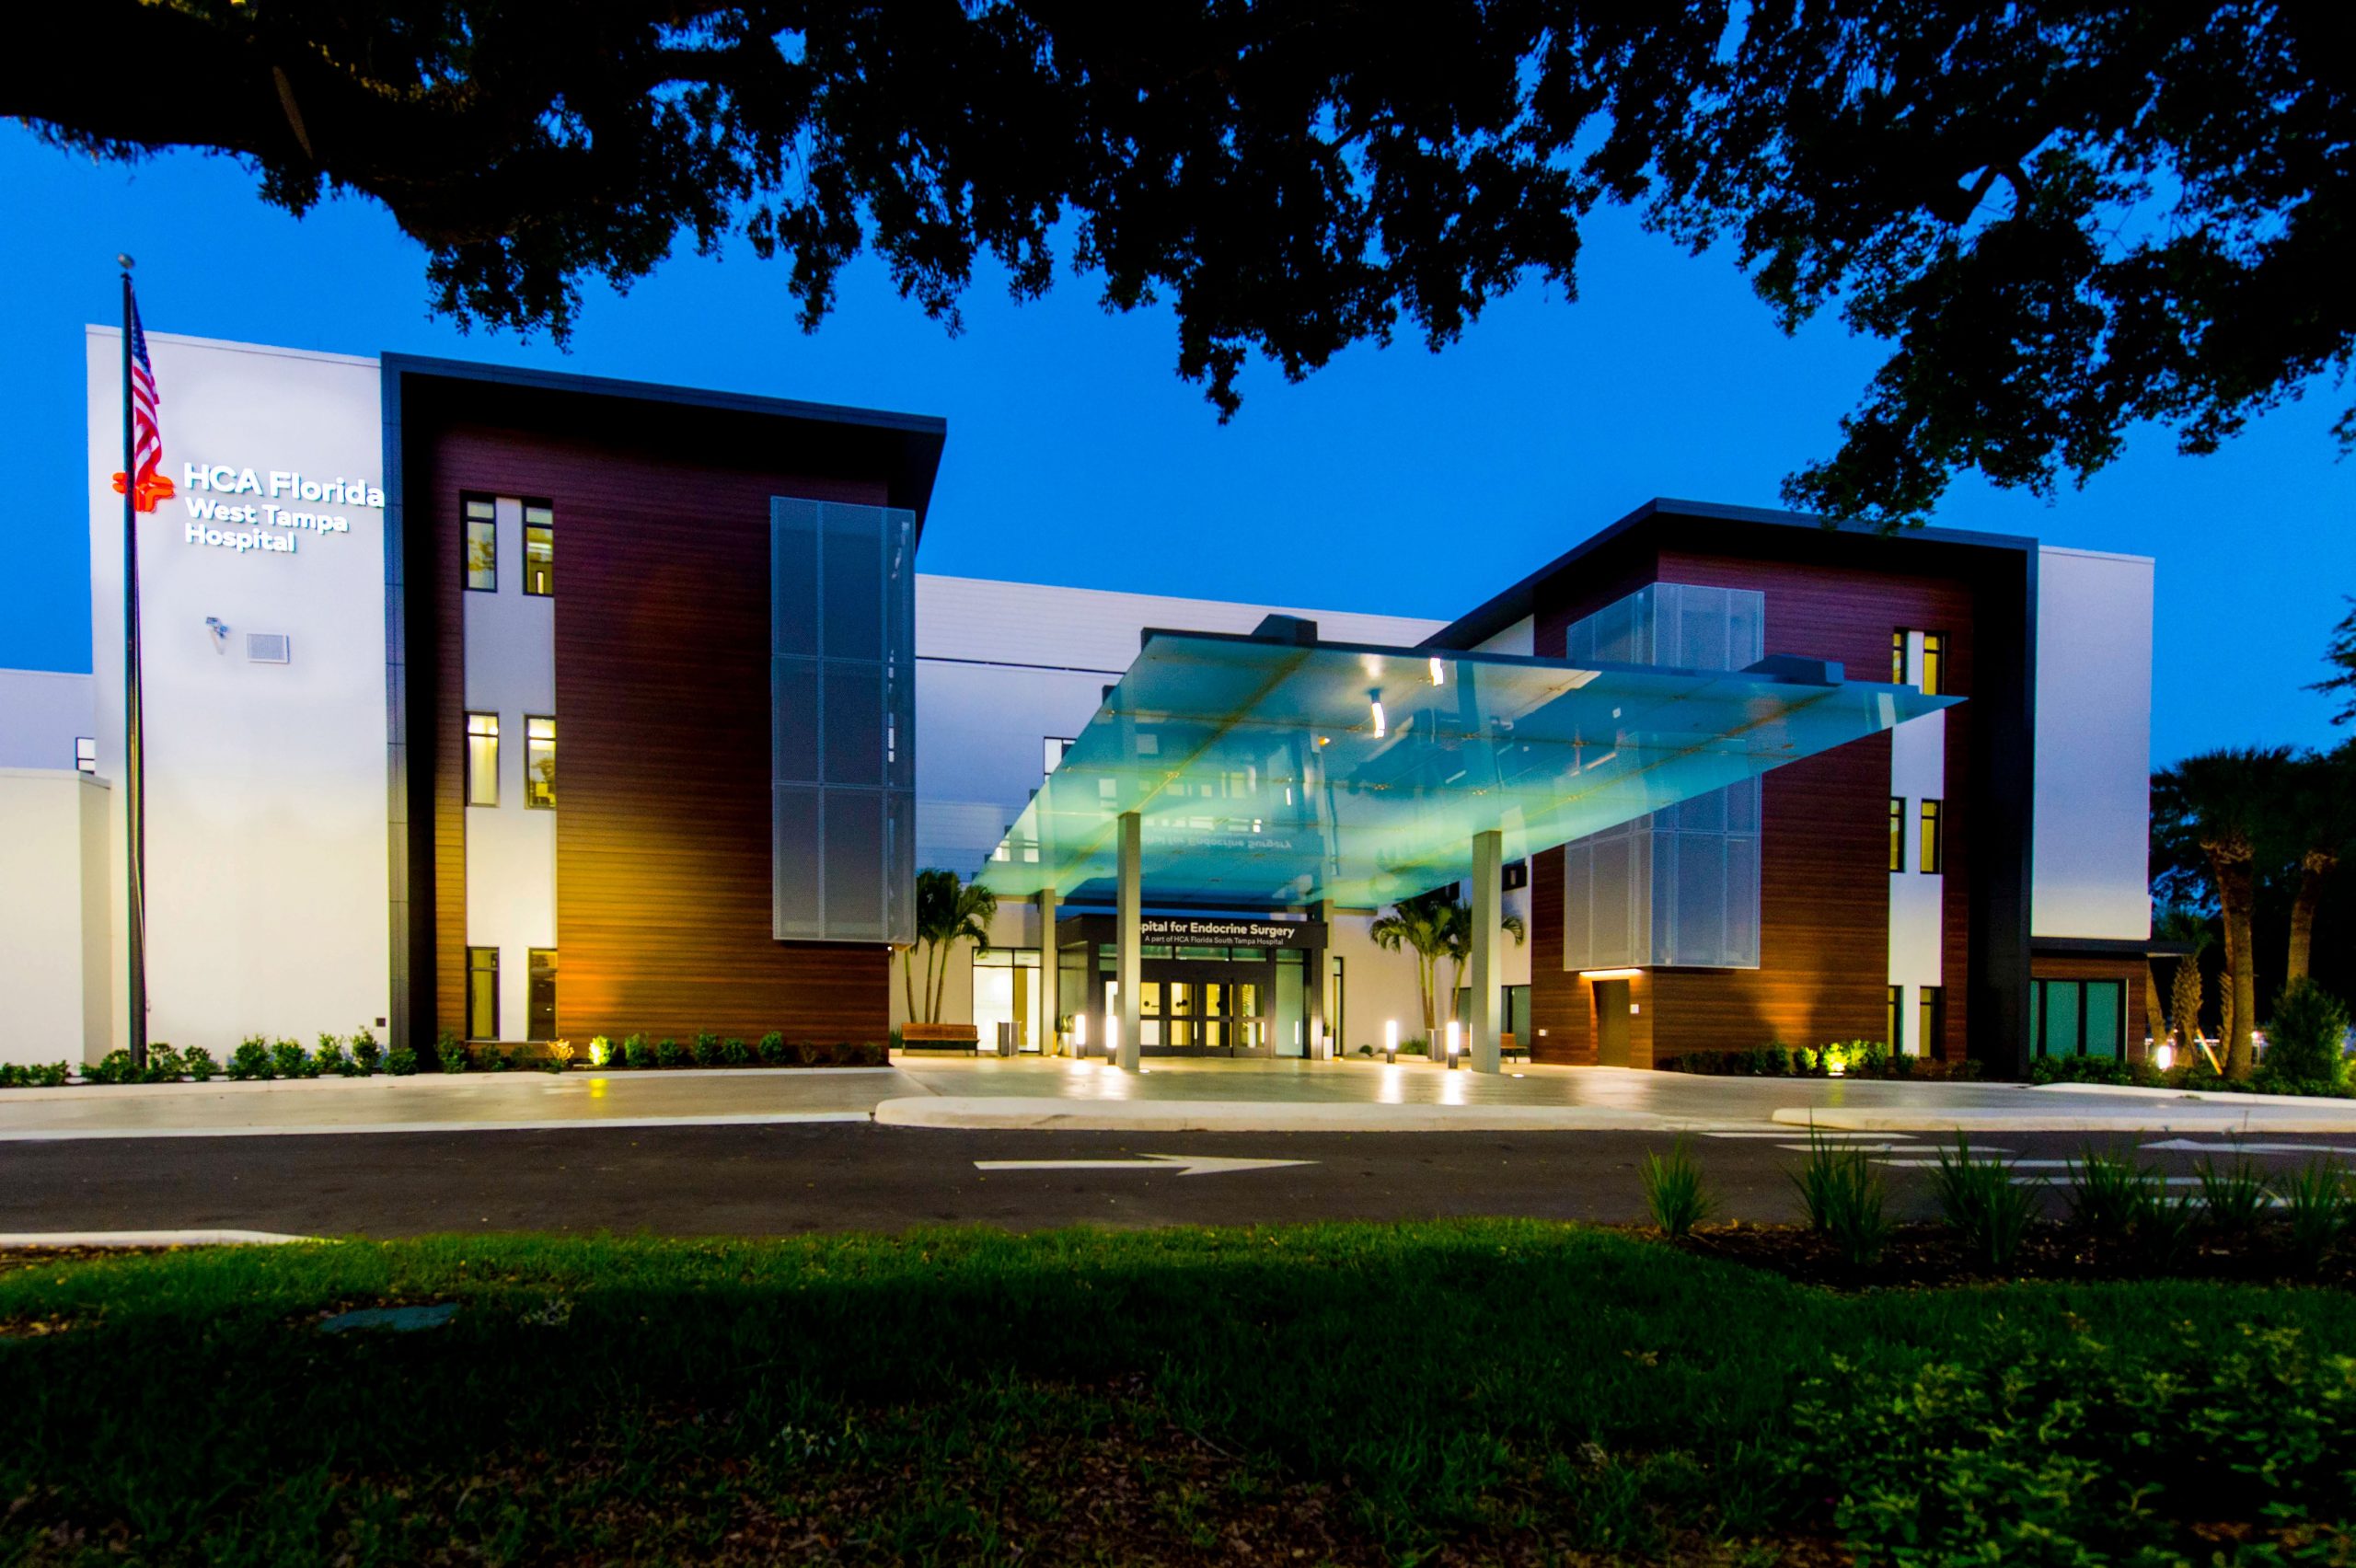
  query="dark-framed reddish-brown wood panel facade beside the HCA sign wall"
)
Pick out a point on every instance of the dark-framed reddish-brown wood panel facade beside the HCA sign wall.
point(663, 700)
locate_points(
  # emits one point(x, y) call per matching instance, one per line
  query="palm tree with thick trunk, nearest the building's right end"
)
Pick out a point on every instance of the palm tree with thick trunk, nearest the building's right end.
point(2223, 804)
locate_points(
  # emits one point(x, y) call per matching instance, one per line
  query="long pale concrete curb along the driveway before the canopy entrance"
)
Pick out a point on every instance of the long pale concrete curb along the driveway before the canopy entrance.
point(1000, 1112)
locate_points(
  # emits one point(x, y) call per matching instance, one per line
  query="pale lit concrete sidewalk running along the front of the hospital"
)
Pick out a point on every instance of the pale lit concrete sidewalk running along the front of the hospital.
point(1172, 1096)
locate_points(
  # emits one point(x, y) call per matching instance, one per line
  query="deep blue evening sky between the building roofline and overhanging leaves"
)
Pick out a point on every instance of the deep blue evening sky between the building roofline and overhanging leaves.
point(1391, 481)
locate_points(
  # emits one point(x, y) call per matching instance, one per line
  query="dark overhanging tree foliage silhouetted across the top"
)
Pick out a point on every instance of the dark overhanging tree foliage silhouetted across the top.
point(2063, 218)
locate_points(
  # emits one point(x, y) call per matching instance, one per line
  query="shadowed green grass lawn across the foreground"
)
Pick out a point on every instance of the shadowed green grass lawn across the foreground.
point(1452, 1393)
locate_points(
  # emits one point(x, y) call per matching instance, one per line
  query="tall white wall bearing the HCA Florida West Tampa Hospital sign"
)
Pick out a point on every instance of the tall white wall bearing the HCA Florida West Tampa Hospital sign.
point(265, 783)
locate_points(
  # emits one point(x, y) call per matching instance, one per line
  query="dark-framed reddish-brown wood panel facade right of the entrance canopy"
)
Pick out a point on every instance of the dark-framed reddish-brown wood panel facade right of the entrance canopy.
point(1825, 875)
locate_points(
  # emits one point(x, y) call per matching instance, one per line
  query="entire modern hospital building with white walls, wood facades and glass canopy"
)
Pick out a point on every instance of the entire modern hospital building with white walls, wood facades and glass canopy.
point(531, 707)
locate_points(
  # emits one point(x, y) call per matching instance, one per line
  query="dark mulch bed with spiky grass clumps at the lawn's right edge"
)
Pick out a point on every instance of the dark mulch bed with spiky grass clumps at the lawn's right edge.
point(1933, 1256)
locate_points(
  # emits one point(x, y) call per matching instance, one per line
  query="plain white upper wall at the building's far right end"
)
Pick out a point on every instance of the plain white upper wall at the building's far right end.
point(2093, 748)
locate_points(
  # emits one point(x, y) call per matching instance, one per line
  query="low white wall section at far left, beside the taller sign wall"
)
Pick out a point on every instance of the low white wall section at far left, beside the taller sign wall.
point(55, 997)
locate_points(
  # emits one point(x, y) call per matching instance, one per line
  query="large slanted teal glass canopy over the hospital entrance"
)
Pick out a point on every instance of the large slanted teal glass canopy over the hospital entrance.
point(1276, 773)
